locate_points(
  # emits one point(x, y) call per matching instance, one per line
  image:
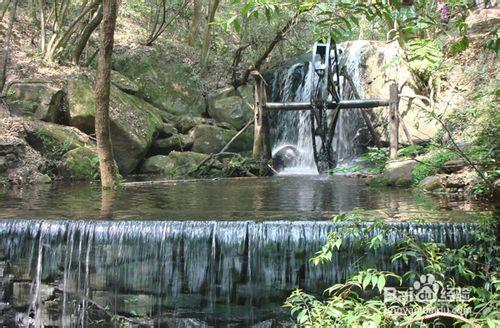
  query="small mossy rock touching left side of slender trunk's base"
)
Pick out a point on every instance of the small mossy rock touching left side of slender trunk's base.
point(81, 163)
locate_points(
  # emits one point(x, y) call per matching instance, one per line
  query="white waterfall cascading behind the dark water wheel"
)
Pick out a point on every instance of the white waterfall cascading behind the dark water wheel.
point(292, 128)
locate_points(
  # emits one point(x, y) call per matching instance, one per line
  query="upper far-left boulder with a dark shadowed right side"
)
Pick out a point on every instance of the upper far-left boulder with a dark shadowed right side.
point(37, 99)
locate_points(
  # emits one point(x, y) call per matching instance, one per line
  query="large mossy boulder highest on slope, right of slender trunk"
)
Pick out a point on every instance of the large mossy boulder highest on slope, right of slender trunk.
point(167, 84)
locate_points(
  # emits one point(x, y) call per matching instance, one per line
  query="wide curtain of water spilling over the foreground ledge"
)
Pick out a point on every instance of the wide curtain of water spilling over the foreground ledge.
point(216, 271)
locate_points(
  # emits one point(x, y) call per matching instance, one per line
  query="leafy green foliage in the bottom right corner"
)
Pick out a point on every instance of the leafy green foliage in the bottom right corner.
point(358, 302)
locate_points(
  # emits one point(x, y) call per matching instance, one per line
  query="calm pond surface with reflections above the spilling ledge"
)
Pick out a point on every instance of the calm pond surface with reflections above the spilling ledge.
point(306, 197)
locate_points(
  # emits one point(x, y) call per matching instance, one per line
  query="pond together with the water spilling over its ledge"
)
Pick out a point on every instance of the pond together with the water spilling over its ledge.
point(224, 252)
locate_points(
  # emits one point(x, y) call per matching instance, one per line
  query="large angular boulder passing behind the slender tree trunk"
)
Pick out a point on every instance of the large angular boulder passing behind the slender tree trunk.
point(134, 122)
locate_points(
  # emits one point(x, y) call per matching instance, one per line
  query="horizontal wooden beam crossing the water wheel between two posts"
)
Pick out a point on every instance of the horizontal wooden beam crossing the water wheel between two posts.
point(343, 104)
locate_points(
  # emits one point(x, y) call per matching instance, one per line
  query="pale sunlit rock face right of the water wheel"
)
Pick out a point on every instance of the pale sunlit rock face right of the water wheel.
point(373, 67)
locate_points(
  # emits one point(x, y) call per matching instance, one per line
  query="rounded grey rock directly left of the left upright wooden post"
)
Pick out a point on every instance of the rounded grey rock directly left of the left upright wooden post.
point(233, 107)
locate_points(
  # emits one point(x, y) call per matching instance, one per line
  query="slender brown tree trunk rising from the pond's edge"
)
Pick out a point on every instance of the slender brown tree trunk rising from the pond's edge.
point(109, 175)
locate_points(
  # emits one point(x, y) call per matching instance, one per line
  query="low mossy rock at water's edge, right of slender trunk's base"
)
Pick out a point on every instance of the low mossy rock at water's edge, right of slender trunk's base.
point(175, 165)
